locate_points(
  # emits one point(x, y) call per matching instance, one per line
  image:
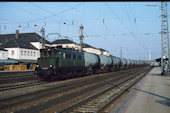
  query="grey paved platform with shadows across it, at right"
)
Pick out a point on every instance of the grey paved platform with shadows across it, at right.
point(150, 95)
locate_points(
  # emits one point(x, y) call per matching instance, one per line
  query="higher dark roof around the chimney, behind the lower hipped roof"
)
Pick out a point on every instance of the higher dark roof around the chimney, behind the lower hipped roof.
point(29, 37)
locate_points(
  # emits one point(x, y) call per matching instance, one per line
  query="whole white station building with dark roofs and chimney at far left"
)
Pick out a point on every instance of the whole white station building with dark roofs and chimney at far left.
point(22, 46)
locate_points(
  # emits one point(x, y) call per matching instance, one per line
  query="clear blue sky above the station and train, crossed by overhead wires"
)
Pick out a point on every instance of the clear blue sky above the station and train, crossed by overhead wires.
point(132, 26)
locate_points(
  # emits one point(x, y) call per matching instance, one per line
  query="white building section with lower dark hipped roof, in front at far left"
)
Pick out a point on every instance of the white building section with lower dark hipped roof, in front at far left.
point(21, 50)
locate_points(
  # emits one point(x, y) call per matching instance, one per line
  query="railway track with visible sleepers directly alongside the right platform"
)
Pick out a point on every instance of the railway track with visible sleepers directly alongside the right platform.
point(98, 101)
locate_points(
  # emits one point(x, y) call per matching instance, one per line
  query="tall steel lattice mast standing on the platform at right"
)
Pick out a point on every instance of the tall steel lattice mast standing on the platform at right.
point(164, 39)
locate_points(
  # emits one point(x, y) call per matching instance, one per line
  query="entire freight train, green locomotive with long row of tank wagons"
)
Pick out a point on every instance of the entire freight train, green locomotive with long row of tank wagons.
point(64, 63)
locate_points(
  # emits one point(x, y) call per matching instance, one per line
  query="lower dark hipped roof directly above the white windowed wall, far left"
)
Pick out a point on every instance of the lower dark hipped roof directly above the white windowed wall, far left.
point(14, 43)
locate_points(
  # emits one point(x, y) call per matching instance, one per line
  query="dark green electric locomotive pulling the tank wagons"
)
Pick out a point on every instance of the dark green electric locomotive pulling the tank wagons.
point(60, 63)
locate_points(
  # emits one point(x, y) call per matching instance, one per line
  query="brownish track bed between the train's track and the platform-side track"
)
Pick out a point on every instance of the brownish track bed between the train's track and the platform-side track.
point(13, 101)
